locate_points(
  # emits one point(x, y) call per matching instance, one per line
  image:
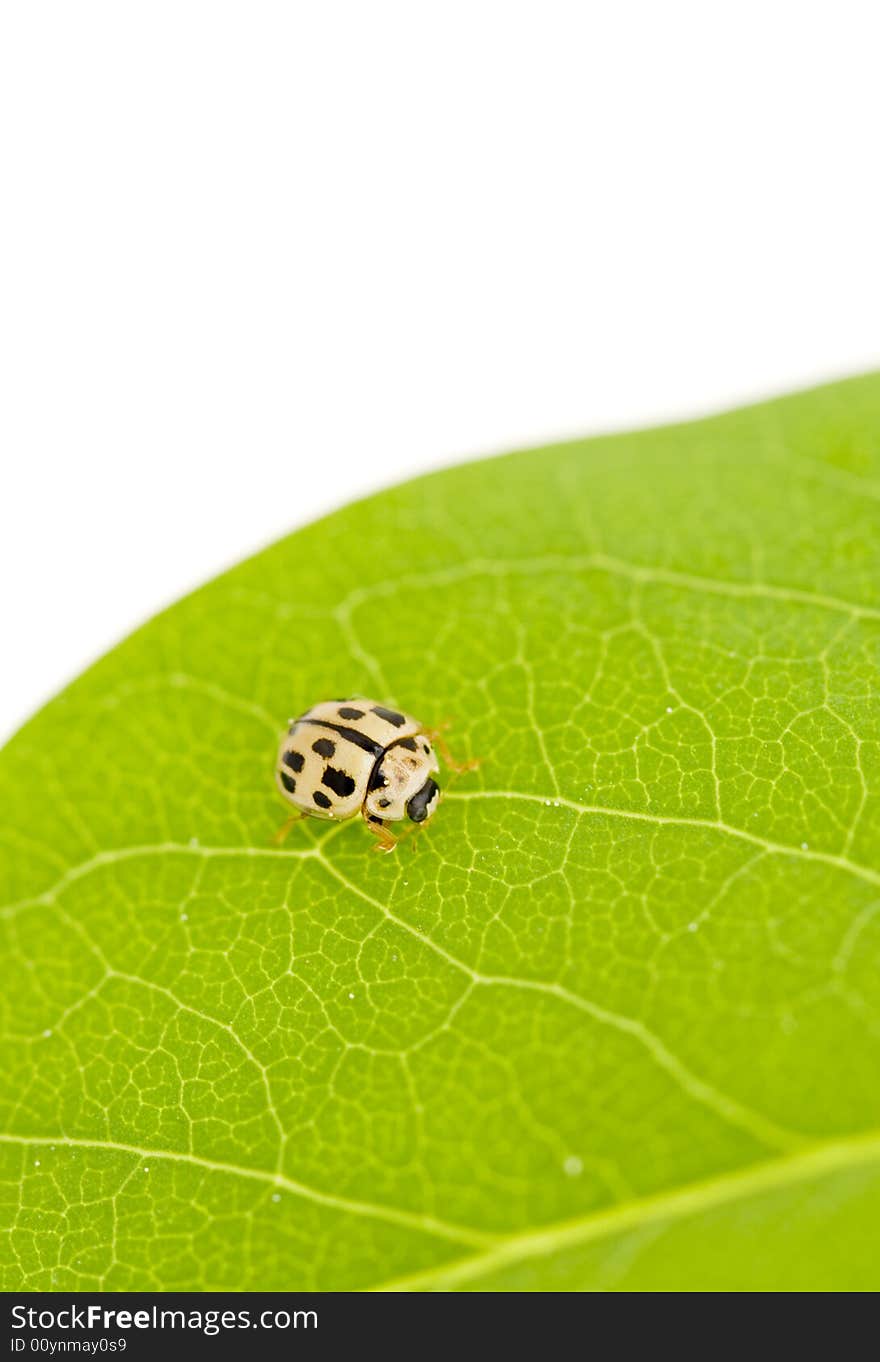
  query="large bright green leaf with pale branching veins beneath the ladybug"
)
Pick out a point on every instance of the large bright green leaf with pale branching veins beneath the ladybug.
point(614, 1024)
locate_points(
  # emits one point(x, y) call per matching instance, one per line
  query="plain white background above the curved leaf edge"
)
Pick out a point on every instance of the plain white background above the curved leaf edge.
point(260, 259)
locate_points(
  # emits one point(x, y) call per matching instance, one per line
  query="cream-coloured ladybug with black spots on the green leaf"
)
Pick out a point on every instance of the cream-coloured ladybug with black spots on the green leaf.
point(344, 758)
